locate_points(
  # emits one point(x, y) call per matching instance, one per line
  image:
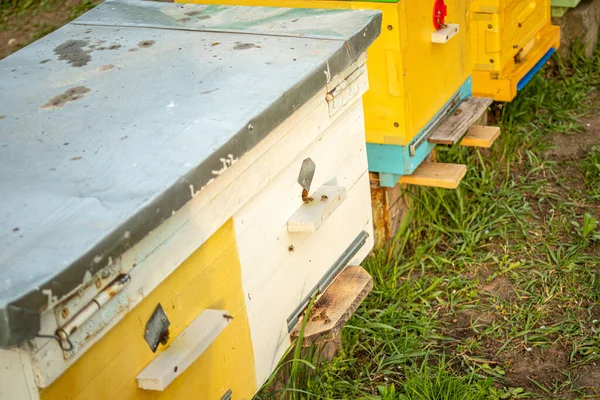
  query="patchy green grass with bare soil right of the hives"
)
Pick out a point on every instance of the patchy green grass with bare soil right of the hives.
point(493, 291)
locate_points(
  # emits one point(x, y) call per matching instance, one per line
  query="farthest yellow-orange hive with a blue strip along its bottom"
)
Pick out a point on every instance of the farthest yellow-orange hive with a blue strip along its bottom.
point(510, 41)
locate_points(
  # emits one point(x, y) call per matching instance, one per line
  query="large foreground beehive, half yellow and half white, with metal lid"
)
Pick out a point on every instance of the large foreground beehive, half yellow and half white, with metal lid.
point(156, 240)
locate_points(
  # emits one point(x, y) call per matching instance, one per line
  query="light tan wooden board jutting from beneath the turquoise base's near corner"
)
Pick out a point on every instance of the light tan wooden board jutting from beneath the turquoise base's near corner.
point(441, 175)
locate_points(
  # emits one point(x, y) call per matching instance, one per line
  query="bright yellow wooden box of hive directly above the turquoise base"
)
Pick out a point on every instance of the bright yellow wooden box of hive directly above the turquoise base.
point(410, 77)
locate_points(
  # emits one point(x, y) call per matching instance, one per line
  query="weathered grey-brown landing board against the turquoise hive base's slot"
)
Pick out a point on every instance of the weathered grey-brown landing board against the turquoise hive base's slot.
point(453, 127)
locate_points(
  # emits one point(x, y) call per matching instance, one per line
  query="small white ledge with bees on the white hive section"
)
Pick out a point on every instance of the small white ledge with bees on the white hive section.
point(314, 212)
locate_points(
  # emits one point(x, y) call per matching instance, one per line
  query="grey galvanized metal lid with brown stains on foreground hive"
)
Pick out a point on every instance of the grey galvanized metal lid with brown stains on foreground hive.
point(107, 123)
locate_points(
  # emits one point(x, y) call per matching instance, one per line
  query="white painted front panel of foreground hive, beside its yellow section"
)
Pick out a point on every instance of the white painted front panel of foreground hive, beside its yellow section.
point(277, 279)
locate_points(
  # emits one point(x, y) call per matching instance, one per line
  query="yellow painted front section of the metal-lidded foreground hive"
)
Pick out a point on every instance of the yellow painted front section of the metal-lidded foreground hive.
point(209, 278)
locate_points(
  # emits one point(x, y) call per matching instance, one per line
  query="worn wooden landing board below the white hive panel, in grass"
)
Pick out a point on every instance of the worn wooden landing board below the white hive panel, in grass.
point(334, 308)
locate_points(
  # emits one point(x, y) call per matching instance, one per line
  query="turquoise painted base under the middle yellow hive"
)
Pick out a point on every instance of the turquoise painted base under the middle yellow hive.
point(393, 161)
